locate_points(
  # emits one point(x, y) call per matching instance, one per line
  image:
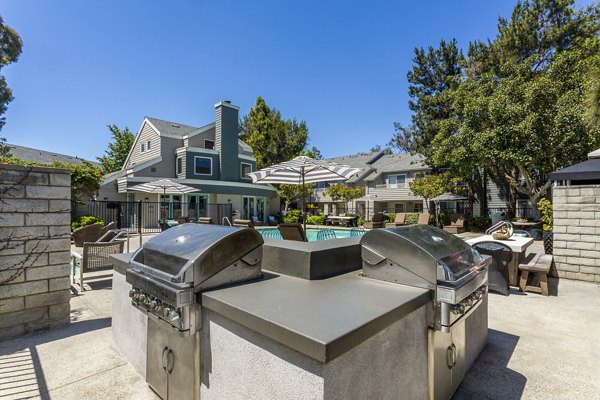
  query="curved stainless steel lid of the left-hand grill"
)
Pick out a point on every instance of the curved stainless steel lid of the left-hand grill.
point(193, 253)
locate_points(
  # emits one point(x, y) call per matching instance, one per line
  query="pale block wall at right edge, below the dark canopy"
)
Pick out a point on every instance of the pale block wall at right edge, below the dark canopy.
point(577, 232)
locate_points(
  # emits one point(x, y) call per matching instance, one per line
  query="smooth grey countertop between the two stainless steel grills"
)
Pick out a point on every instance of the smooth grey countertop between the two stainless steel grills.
point(319, 318)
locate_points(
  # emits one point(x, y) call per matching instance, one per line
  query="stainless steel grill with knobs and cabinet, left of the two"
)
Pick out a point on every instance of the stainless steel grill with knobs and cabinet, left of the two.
point(167, 274)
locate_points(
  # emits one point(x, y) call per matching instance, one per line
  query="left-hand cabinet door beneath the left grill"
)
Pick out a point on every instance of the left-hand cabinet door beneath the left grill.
point(157, 352)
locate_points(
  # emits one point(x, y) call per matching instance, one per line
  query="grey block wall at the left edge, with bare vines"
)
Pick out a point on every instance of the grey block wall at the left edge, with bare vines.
point(34, 248)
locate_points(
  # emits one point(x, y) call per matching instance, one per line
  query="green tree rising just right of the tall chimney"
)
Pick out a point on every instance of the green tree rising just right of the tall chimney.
point(272, 138)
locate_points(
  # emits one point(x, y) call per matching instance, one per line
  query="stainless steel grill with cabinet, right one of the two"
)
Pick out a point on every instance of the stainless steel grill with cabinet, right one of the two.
point(427, 257)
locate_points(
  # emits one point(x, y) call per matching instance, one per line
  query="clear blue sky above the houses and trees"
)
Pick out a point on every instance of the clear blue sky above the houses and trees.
point(340, 66)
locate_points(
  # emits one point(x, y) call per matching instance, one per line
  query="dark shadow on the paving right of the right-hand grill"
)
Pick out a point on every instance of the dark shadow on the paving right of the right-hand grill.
point(489, 377)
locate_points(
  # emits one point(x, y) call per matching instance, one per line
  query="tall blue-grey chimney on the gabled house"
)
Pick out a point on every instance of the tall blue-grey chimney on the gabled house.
point(226, 140)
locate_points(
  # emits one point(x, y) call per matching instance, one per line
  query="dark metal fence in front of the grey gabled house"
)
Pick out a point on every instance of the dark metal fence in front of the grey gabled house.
point(146, 216)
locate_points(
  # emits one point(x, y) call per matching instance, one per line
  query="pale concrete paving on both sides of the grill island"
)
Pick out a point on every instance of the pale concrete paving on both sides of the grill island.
point(538, 347)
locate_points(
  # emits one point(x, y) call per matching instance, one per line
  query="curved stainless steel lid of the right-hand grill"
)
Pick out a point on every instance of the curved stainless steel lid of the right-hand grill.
point(425, 252)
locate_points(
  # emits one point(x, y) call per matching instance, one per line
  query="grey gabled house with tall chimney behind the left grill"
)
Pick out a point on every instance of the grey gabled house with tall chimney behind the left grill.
point(210, 158)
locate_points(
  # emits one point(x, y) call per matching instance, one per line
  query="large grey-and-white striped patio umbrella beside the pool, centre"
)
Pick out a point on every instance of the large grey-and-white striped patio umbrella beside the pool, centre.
point(302, 170)
